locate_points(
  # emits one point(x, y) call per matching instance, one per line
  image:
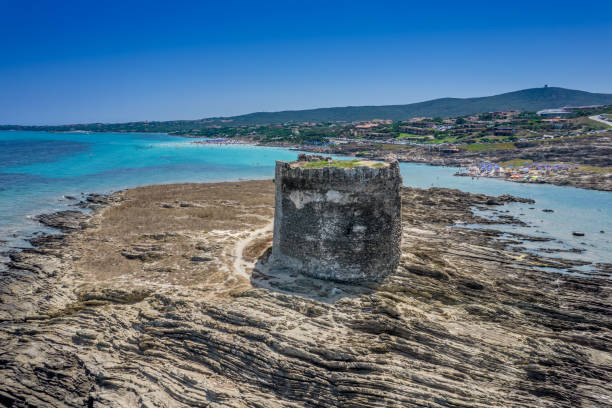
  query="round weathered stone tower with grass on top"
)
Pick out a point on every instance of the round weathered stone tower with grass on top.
point(338, 220)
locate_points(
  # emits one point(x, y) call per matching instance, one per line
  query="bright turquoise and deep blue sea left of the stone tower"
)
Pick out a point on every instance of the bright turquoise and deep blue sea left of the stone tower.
point(37, 169)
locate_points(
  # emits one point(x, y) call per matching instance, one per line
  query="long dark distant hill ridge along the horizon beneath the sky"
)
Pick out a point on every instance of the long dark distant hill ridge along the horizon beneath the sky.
point(526, 100)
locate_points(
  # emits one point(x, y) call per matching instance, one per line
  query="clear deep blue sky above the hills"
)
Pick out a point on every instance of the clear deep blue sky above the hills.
point(106, 61)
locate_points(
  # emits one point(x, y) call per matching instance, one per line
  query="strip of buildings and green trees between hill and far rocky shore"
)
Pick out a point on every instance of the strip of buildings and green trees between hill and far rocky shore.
point(483, 128)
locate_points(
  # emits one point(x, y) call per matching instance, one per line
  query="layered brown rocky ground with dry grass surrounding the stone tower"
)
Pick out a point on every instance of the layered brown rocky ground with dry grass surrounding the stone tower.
point(161, 297)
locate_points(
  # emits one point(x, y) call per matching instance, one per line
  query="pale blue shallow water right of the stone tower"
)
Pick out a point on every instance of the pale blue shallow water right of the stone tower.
point(574, 209)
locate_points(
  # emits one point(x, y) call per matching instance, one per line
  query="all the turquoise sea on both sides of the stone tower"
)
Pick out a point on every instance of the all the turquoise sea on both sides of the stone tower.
point(38, 169)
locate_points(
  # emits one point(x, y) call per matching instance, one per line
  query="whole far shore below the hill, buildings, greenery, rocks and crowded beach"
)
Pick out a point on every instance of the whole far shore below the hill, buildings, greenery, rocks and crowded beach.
point(564, 146)
